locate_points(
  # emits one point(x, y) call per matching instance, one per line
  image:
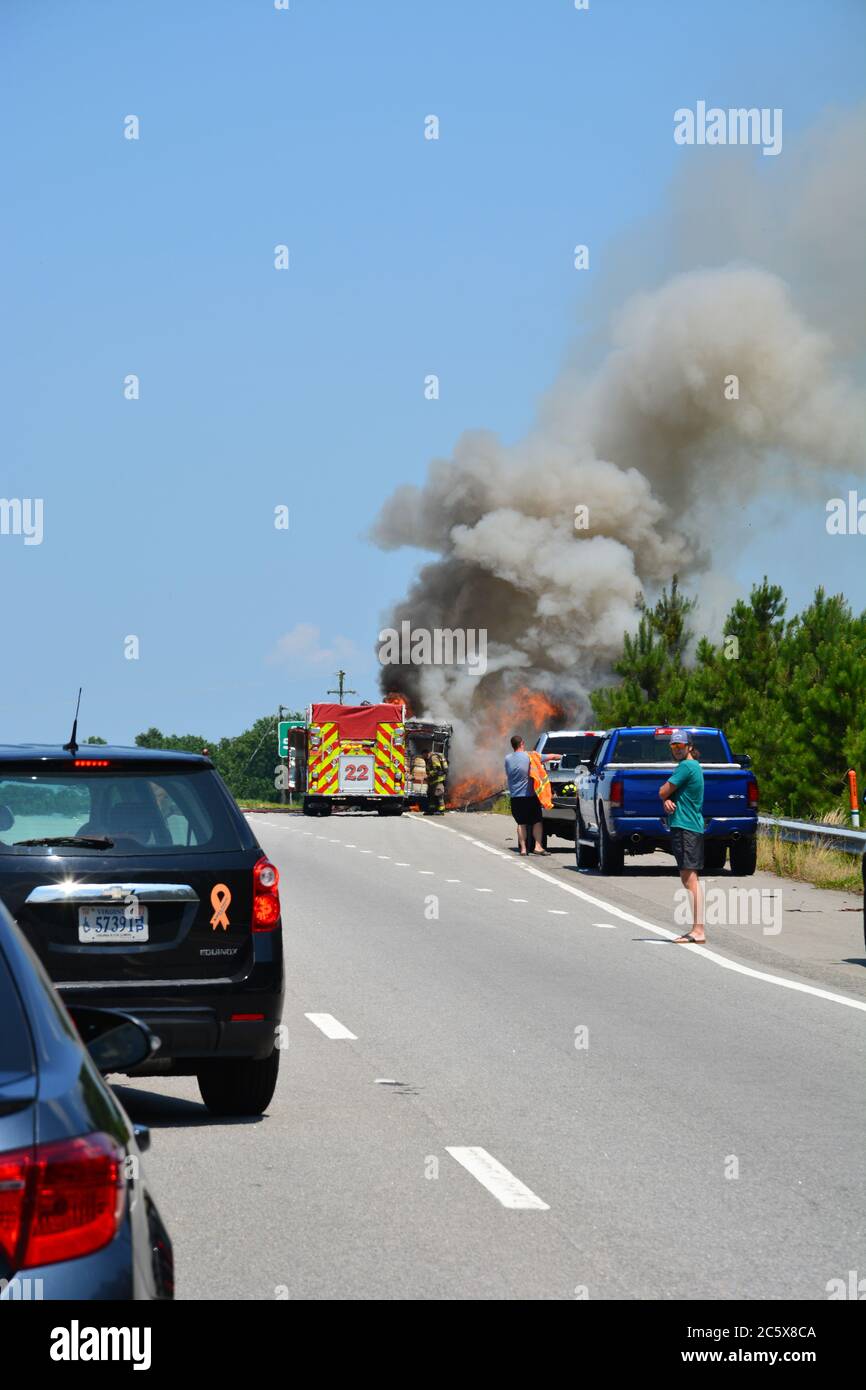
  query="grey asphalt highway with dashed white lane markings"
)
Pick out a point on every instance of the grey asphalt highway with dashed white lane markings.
point(654, 1121)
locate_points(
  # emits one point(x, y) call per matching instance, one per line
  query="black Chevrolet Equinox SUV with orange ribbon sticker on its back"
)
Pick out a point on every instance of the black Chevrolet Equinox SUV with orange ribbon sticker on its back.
point(142, 888)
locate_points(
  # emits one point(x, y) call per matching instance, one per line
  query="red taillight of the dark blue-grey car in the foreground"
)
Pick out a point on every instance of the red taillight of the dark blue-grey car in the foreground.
point(62, 1200)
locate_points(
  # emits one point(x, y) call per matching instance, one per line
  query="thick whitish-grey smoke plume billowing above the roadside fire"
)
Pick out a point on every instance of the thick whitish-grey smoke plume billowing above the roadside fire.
point(653, 447)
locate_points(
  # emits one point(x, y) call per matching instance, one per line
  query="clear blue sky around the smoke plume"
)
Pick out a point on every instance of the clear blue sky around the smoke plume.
point(259, 389)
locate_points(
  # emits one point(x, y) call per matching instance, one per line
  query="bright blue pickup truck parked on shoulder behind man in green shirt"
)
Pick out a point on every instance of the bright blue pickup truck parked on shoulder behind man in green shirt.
point(618, 808)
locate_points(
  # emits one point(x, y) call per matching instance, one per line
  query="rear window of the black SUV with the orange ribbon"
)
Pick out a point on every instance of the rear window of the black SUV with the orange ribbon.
point(144, 812)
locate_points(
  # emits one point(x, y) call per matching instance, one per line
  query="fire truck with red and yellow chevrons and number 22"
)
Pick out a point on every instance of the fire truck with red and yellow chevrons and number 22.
point(369, 757)
